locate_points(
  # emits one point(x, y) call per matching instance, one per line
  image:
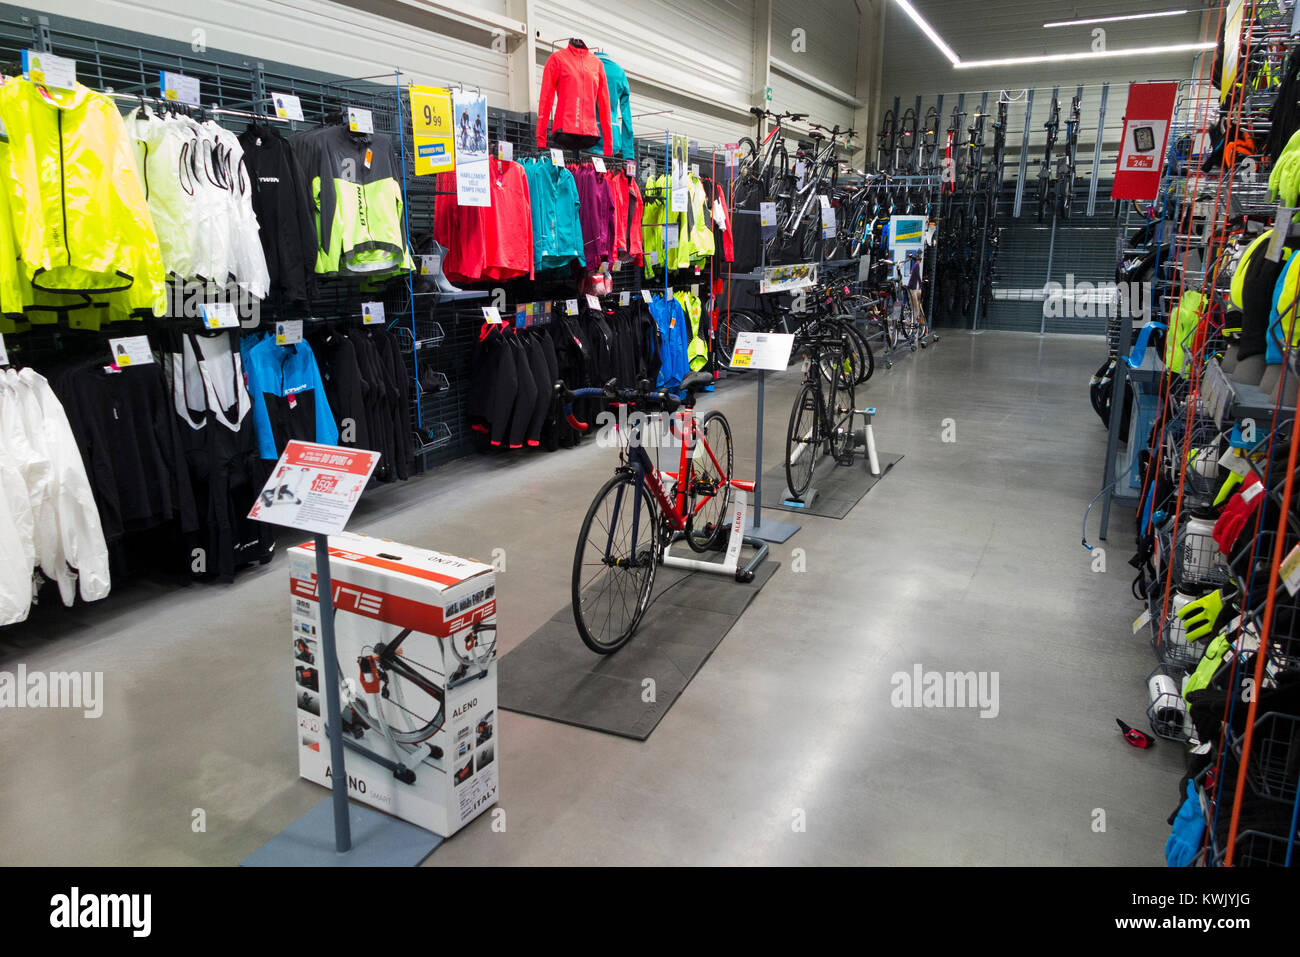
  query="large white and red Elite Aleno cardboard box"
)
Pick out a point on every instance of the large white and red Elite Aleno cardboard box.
point(417, 640)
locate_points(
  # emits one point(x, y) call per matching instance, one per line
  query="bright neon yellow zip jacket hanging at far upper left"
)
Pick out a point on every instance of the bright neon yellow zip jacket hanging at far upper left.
point(76, 201)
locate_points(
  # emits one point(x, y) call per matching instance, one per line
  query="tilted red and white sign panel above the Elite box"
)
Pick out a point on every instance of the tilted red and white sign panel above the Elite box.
point(315, 488)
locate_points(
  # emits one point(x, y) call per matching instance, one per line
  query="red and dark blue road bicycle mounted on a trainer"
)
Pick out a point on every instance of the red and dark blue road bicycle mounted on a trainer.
point(642, 510)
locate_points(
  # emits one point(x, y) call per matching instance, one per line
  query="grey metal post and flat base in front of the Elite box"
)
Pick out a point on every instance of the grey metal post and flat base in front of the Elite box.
point(337, 834)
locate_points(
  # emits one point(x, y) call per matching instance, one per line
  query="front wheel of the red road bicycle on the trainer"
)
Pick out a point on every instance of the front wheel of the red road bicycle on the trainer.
point(618, 551)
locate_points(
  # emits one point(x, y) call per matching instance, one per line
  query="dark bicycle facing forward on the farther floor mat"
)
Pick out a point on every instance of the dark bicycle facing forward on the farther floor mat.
point(820, 422)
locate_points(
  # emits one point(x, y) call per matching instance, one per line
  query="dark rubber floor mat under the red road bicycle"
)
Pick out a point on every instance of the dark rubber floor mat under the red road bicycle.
point(553, 675)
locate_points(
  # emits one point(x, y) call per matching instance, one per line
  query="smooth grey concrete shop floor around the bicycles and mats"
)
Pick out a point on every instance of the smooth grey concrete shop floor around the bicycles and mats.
point(965, 558)
